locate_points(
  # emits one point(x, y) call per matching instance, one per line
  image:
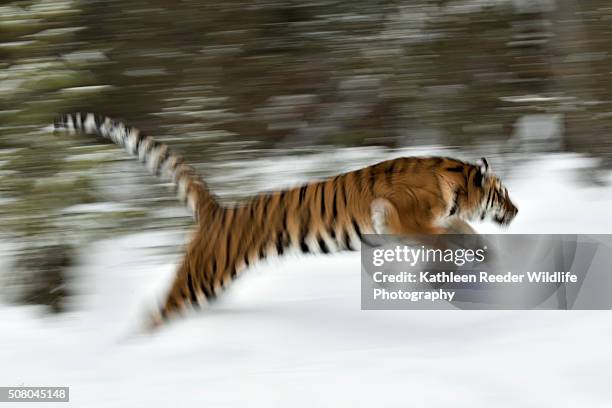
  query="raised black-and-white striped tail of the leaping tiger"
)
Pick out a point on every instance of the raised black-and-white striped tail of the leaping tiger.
point(156, 156)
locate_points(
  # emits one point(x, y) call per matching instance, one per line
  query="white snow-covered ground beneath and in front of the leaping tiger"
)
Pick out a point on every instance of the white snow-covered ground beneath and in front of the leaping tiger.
point(291, 332)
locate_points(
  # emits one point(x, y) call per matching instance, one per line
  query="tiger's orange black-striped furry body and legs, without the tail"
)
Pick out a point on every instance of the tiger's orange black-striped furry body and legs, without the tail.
point(417, 196)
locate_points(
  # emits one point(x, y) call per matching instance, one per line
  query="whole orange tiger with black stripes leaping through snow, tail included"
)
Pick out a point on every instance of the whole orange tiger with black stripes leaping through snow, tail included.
point(406, 196)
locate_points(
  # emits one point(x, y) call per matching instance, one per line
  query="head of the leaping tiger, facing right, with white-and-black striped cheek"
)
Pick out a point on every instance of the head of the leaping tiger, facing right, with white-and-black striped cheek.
point(491, 196)
